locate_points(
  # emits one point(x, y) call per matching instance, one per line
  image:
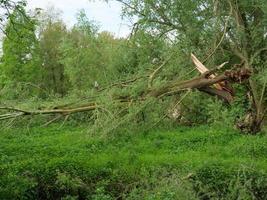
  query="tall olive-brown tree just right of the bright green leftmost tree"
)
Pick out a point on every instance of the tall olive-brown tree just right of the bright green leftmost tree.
point(51, 33)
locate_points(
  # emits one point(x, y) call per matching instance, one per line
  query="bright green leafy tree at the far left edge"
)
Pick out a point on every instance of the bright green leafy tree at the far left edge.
point(20, 63)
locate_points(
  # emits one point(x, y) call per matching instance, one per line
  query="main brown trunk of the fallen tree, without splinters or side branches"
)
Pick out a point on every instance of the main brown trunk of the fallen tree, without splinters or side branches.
point(203, 83)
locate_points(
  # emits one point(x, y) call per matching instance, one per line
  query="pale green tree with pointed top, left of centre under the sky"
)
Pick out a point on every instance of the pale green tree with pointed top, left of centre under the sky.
point(80, 55)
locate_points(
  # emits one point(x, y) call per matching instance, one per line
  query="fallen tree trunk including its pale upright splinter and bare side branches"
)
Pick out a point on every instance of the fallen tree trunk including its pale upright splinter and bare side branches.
point(209, 82)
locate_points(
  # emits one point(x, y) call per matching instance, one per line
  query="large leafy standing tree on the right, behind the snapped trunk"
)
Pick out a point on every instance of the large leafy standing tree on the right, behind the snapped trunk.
point(216, 31)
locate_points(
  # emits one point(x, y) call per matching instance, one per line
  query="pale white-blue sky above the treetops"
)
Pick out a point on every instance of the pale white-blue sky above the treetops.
point(106, 14)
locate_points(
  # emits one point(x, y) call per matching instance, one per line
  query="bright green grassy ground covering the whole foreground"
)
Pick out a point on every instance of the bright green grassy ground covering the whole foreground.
point(187, 163)
